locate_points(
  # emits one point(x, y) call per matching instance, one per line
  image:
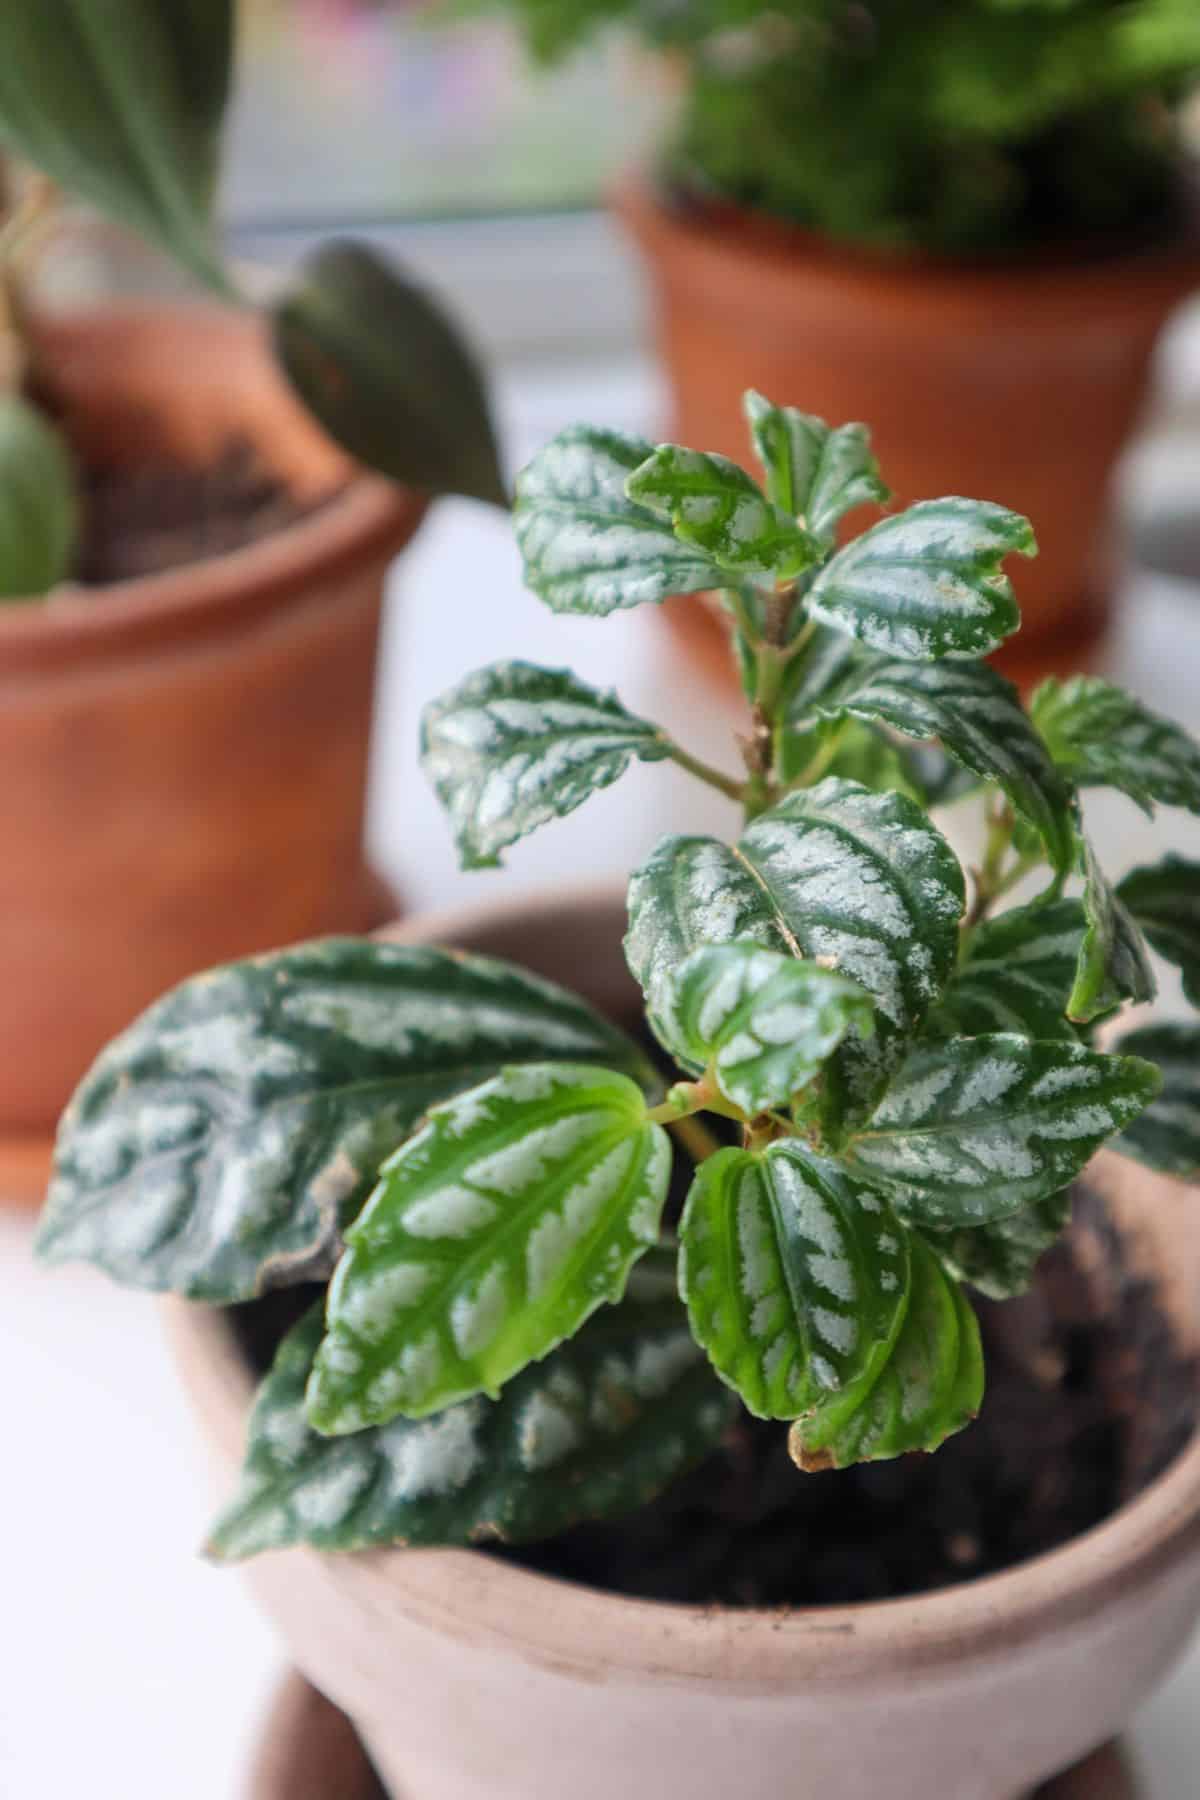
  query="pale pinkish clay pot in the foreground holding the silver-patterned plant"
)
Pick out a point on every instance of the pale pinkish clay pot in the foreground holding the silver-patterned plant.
point(474, 1680)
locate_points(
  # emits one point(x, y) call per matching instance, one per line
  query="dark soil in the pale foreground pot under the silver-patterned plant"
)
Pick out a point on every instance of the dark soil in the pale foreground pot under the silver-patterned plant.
point(1088, 1401)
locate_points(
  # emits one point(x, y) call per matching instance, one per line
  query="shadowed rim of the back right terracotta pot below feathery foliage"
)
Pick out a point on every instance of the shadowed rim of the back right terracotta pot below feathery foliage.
point(778, 249)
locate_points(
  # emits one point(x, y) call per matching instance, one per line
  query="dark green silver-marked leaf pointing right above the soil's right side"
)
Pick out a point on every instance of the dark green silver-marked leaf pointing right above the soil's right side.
point(978, 1128)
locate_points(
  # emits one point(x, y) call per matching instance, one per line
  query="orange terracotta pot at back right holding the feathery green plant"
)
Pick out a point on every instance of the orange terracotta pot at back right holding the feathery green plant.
point(1014, 382)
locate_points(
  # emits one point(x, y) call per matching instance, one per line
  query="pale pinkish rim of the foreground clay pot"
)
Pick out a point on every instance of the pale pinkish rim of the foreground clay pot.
point(593, 1633)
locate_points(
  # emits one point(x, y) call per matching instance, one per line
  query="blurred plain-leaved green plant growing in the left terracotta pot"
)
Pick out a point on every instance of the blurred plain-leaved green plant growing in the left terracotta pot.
point(121, 105)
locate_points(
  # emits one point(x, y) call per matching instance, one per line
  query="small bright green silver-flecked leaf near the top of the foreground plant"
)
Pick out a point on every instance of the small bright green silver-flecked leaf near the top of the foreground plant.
point(713, 503)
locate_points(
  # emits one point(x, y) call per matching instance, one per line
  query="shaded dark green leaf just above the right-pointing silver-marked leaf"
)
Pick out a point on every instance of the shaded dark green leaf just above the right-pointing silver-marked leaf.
point(1017, 975)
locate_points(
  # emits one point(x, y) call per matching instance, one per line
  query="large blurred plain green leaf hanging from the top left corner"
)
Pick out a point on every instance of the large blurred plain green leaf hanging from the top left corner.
point(121, 103)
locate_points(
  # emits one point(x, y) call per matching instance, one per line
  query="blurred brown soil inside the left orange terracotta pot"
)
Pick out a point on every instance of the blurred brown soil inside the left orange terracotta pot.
point(166, 514)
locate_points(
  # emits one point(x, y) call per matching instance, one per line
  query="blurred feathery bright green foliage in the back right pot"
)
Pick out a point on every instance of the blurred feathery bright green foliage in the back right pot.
point(942, 125)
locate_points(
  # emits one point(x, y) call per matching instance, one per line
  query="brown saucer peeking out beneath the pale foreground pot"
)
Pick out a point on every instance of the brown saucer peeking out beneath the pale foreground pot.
point(310, 1752)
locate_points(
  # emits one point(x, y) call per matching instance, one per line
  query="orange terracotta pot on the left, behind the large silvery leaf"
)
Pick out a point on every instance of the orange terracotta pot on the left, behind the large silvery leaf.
point(186, 753)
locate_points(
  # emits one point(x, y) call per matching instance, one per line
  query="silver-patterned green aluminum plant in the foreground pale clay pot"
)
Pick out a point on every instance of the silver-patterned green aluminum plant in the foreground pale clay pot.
point(882, 1084)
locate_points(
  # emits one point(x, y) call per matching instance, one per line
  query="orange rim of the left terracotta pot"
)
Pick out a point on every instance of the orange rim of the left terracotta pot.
point(210, 595)
